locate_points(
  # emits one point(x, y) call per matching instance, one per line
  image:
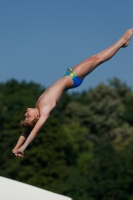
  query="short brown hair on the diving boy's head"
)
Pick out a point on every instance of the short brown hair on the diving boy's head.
point(28, 125)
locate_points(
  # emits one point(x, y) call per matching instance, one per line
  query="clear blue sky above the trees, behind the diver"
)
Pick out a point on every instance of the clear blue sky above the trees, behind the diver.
point(40, 39)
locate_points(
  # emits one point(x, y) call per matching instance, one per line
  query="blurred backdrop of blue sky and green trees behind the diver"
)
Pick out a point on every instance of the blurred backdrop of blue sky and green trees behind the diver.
point(84, 151)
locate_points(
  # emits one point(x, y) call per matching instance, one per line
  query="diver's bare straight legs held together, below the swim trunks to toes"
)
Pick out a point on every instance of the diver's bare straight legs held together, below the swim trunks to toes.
point(88, 65)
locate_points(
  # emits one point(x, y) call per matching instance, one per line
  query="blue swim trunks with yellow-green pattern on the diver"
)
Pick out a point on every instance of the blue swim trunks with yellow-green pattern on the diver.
point(76, 80)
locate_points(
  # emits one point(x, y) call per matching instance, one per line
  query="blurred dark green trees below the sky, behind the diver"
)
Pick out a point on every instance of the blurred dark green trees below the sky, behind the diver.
point(85, 148)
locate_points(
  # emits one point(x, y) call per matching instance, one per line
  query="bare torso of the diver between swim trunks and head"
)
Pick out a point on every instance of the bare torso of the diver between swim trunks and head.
point(48, 100)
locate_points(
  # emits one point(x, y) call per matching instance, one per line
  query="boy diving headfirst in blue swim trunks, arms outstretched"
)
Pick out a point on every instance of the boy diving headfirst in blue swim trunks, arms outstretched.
point(36, 117)
